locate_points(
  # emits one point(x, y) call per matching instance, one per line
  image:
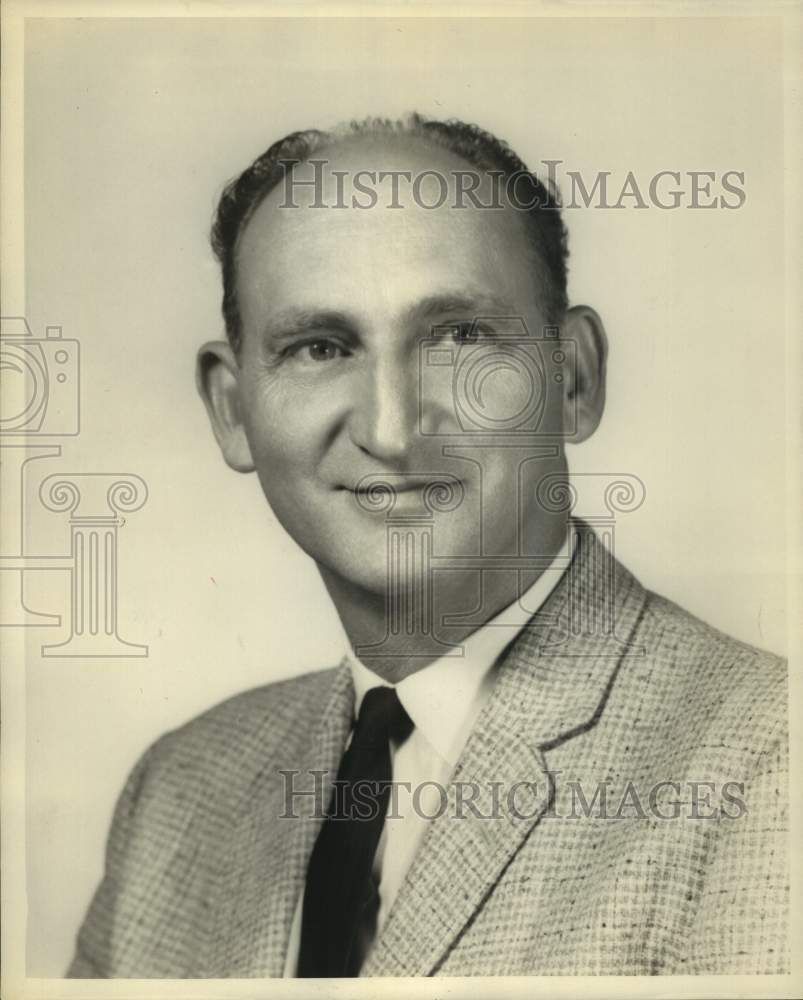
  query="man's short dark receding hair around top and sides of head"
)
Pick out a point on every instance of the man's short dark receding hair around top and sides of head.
point(242, 196)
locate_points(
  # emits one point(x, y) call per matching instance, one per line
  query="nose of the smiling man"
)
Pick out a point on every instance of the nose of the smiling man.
point(385, 410)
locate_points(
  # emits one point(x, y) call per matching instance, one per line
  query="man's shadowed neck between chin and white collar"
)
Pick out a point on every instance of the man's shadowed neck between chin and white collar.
point(396, 653)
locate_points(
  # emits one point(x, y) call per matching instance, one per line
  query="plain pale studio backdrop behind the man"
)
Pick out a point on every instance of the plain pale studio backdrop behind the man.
point(132, 126)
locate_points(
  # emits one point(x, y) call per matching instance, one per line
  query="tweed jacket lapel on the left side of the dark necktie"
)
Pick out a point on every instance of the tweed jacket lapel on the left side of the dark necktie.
point(267, 857)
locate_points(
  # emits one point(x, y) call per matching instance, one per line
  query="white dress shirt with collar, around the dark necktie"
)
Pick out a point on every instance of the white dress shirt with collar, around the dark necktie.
point(443, 700)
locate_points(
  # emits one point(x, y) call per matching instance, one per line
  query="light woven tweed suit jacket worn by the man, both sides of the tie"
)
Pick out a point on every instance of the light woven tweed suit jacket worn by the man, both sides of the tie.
point(646, 833)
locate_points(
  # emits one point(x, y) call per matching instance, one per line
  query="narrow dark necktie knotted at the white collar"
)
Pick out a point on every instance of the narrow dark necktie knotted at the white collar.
point(340, 898)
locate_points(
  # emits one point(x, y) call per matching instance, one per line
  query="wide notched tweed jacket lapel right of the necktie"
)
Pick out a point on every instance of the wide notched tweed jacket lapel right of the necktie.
point(552, 684)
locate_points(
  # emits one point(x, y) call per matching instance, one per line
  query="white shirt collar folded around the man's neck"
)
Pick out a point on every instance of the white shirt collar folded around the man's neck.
point(444, 698)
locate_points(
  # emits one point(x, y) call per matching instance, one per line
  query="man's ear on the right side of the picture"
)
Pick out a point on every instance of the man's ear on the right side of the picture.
point(584, 398)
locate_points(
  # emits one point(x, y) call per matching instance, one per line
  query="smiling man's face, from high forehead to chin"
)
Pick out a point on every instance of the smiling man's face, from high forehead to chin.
point(335, 303)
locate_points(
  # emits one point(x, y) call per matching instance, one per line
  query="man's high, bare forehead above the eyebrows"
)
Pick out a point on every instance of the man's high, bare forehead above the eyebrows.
point(317, 245)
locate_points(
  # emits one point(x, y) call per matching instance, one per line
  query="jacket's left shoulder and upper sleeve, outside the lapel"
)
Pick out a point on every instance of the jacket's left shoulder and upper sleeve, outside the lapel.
point(181, 797)
